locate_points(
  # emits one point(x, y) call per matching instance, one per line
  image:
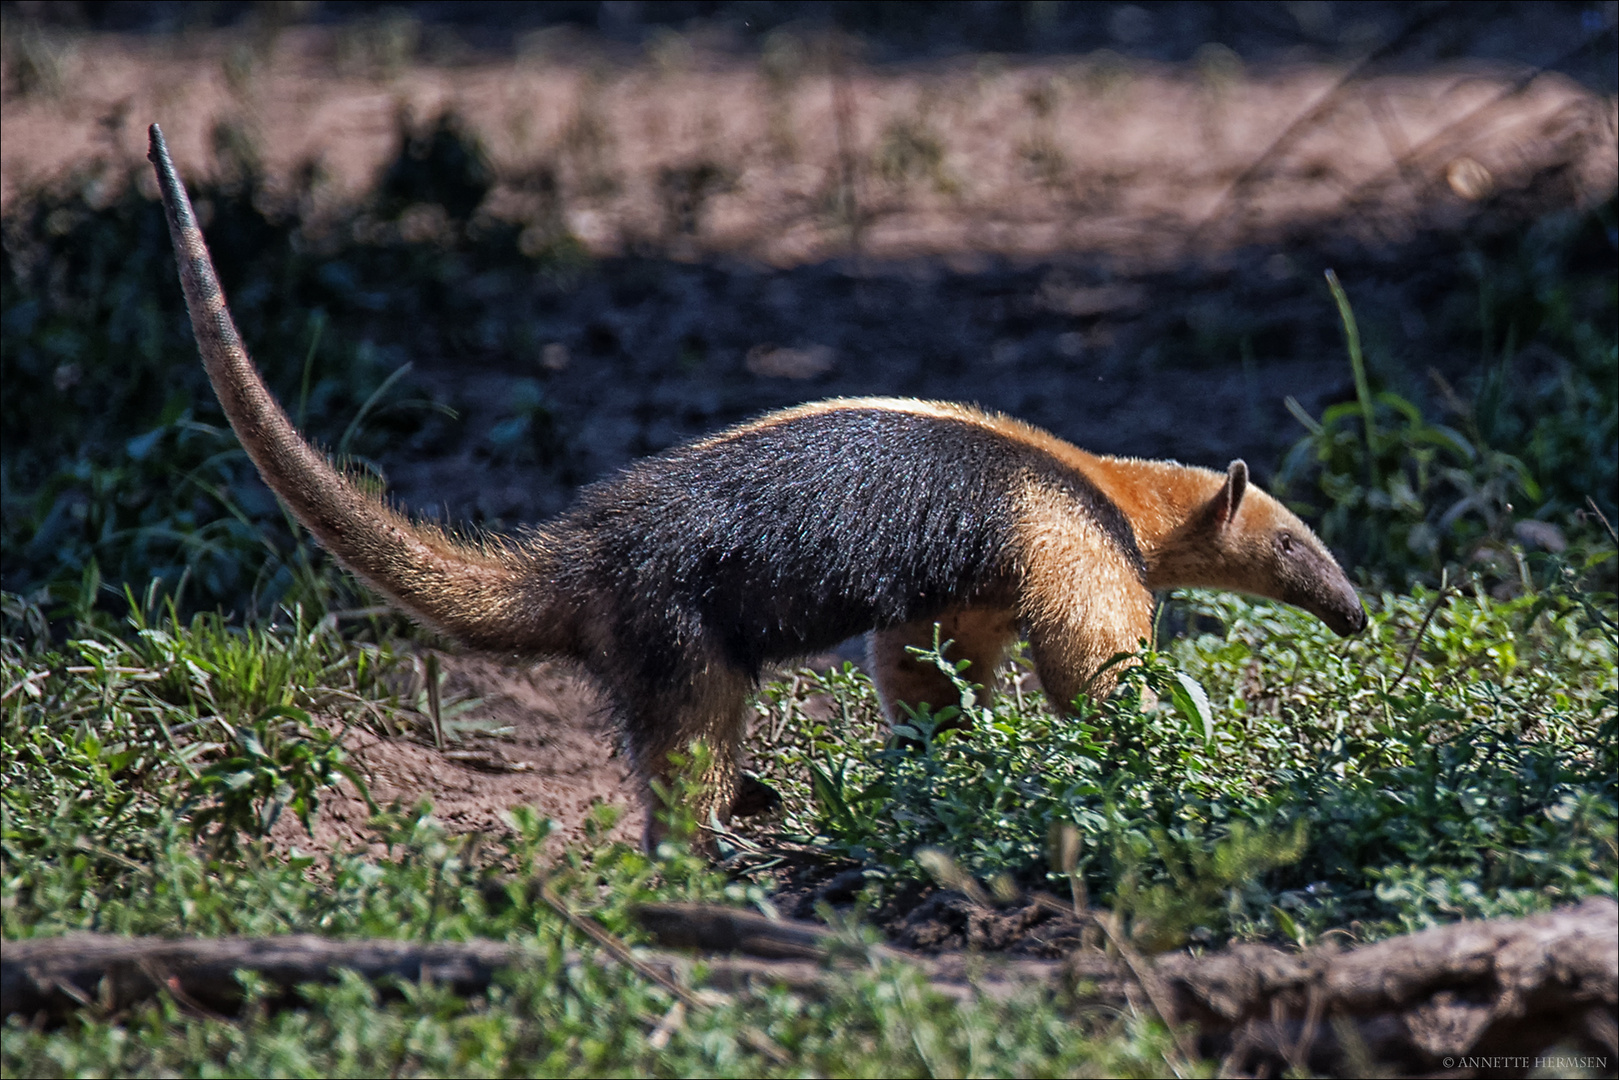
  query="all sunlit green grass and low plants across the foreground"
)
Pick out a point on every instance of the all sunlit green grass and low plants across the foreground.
point(1254, 780)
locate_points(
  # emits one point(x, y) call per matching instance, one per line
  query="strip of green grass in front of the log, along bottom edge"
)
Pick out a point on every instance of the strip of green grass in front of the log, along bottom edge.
point(882, 1023)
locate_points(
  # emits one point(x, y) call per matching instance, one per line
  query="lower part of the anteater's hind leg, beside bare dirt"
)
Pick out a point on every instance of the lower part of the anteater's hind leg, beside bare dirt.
point(665, 718)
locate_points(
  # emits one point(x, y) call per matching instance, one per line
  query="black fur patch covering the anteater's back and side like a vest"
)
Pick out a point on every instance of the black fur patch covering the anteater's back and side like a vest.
point(788, 538)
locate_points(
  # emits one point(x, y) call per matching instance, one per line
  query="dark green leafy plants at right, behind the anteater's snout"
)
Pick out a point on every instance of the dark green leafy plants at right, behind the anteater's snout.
point(1406, 496)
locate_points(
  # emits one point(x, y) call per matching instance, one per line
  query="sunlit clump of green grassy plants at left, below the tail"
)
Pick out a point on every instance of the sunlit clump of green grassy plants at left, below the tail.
point(117, 729)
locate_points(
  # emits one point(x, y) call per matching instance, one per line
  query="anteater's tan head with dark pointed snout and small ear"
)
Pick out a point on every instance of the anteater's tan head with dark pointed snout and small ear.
point(1243, 540)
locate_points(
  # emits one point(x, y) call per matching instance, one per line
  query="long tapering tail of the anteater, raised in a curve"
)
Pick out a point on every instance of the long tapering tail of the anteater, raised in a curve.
point(490, 597)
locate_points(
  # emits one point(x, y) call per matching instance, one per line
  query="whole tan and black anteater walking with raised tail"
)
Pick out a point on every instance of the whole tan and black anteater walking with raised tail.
point(678, 580)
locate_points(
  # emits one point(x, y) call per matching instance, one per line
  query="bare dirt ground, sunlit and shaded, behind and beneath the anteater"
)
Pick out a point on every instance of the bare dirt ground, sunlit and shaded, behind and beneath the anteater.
point(1123, 250)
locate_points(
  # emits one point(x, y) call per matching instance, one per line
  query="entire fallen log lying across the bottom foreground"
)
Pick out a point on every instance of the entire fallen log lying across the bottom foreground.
point(1497, 992)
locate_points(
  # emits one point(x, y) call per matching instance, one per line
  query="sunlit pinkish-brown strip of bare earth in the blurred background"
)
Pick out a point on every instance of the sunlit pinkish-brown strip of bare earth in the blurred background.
point(797, 164)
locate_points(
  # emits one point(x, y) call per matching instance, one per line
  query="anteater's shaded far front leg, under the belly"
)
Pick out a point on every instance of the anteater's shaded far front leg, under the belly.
point(979, 636)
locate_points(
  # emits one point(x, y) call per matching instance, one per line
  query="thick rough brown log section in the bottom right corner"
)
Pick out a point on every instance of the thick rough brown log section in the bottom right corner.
point(1479, 990)
